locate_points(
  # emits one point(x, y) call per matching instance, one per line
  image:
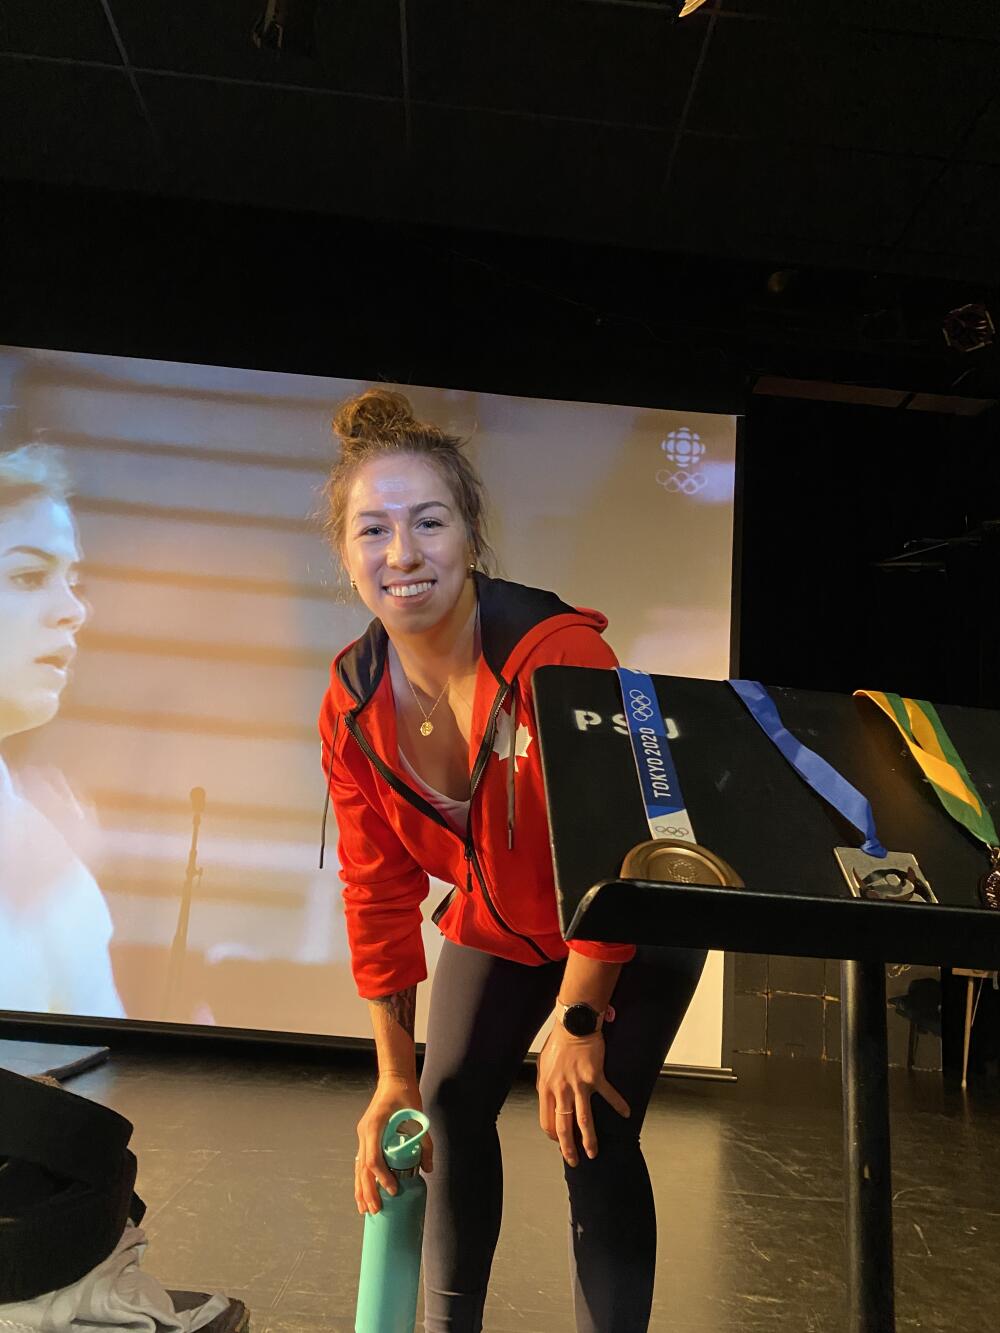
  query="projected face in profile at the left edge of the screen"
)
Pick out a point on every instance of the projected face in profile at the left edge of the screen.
point(41, 613)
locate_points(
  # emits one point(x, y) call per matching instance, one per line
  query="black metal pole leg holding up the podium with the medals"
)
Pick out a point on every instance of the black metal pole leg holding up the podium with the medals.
point(867, 1158)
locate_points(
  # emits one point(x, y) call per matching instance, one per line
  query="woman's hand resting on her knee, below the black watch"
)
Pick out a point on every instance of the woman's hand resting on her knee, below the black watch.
point(571, 1070)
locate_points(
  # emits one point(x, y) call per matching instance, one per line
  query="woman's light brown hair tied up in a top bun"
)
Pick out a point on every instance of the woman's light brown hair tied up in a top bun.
point(379, 423)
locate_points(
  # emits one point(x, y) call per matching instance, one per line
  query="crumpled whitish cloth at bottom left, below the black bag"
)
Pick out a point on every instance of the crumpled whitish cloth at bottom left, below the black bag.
point(115, 1295)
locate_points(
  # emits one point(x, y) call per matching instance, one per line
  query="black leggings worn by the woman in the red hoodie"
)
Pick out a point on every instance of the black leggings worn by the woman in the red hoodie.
point(485, 1014)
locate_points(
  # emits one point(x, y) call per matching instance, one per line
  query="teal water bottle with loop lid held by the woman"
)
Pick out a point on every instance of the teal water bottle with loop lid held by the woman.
point(387, 1290)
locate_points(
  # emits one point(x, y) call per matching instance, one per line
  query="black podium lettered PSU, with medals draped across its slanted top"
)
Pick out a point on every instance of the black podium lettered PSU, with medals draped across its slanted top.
point(751, 808)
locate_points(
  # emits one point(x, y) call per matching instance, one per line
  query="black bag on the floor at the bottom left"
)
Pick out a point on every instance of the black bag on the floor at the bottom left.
point(67, 1184)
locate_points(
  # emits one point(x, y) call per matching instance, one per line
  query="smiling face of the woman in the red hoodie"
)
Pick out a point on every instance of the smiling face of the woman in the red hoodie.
point(406, 545)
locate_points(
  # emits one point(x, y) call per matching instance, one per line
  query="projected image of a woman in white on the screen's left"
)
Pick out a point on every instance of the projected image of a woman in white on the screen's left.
point(54, 923)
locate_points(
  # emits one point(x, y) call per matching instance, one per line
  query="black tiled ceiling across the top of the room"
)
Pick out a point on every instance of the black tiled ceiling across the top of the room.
point(859, 134)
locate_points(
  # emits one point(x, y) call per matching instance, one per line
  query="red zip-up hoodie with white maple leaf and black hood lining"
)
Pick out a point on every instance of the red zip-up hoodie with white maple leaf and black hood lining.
point(391, 839)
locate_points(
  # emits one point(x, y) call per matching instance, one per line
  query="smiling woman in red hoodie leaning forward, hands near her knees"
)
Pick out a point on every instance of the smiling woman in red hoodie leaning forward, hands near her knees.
point(433, 764)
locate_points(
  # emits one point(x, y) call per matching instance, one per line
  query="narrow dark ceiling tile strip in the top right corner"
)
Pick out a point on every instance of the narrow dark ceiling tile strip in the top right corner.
point(945, 18)
